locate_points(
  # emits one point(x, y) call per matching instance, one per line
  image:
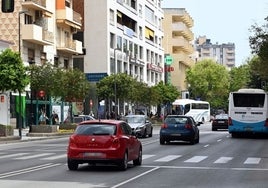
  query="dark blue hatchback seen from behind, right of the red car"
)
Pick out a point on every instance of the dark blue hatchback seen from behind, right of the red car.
point(179, 128)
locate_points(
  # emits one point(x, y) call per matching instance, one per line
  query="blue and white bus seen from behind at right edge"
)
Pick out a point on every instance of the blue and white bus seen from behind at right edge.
point(248, 112)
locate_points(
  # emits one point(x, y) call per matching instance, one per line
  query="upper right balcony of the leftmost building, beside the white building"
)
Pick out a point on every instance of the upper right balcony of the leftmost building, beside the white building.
point(68, 17)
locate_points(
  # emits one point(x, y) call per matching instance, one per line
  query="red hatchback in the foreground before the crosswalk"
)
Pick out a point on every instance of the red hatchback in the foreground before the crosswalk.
point(103, 141)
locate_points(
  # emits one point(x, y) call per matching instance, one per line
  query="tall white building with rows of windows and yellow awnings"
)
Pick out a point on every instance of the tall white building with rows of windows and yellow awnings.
point(124, 36)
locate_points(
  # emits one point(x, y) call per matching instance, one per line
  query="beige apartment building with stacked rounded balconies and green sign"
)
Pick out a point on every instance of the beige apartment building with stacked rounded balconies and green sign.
point(178, 45)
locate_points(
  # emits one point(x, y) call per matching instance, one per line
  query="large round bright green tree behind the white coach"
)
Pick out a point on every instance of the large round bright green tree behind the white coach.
point(209, 81)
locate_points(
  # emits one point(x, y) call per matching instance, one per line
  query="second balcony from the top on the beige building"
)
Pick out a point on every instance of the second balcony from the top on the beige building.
point(180, 29)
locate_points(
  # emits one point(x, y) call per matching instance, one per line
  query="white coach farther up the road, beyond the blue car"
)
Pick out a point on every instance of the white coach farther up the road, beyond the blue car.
point(199, 110)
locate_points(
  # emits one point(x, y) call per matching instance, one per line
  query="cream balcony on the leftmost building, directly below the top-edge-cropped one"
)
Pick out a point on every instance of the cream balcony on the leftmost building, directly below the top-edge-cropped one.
point(36, 34)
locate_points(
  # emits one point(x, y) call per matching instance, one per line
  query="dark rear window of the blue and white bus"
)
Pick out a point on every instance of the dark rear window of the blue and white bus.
point(248, 100)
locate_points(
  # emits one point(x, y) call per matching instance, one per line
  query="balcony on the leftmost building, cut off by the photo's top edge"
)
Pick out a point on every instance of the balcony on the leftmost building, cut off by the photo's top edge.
point(37, 5)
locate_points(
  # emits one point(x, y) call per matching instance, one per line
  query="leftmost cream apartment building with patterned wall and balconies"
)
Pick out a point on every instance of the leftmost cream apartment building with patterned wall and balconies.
point(42, 31)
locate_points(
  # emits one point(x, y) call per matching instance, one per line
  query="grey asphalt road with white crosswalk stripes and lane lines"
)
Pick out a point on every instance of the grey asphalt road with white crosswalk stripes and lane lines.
point(217, 161)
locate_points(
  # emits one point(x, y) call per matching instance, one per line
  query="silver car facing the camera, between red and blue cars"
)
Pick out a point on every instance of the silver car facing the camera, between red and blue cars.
point(140, 124)
